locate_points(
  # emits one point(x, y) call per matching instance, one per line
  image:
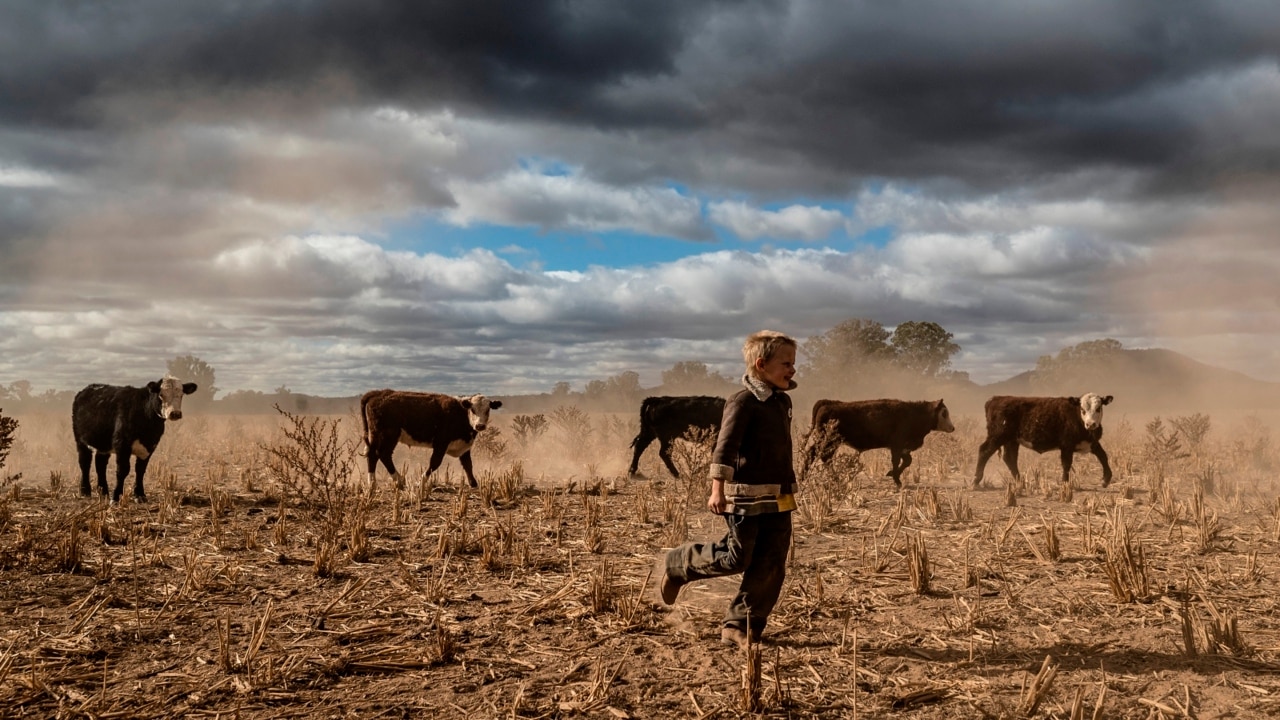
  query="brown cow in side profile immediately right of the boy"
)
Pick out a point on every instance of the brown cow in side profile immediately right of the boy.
point(899, 426)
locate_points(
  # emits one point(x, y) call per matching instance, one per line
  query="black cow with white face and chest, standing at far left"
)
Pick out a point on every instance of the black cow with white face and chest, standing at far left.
point(126, 422)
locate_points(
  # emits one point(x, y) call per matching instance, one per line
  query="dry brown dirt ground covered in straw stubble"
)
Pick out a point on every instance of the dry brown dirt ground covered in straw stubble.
point(232, 594)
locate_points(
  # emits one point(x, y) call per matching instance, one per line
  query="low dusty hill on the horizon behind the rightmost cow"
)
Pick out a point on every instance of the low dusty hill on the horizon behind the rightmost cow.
point(1153, 381)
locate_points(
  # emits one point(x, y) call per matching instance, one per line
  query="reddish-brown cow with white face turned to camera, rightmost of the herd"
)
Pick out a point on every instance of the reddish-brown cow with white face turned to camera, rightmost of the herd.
point(1066, 425)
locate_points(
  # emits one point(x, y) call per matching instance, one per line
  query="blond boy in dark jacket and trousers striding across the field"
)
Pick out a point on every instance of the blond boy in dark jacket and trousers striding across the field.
point(753, 481)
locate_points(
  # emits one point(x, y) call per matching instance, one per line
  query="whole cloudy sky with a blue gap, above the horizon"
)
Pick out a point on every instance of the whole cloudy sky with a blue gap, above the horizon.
point(497, 197)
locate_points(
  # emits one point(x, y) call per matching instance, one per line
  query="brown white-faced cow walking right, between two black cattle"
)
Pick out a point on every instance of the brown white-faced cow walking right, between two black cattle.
point(445, 423)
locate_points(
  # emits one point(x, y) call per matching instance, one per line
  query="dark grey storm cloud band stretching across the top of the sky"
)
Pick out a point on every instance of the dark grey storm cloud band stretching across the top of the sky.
point(985, 93)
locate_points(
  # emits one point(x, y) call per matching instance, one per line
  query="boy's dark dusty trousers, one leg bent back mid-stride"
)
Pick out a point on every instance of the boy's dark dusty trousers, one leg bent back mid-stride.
point(756, 546)
